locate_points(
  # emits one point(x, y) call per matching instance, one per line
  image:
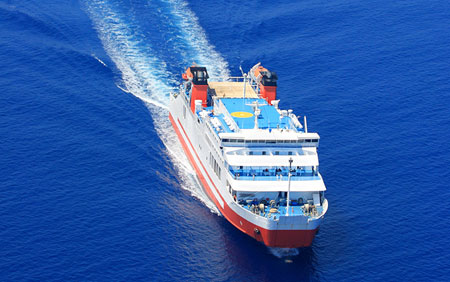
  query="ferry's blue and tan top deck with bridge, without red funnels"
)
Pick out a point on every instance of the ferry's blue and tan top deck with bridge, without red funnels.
point(233, 114)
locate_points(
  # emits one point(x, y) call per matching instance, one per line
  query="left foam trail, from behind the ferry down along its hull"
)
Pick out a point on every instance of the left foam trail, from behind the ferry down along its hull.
point(145, 76)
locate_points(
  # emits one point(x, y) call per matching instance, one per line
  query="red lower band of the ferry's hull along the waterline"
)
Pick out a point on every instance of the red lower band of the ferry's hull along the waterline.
point(271, 238)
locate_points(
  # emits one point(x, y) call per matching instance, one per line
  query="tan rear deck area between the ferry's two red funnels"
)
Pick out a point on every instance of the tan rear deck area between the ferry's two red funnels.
point(229, 89)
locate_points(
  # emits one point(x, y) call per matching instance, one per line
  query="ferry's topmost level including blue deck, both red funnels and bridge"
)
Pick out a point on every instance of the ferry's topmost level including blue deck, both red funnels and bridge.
point(243, 111)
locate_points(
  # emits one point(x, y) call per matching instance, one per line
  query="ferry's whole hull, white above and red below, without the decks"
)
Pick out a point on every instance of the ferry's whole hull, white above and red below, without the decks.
point(200, 143)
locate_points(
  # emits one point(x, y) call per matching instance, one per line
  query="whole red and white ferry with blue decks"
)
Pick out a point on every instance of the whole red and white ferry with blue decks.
point(257, 162)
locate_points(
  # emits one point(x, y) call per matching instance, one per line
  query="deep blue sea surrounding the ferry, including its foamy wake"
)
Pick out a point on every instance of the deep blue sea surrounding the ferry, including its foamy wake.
point(93, 182)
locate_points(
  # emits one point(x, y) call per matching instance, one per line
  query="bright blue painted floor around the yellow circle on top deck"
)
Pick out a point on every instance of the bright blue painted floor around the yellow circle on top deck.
point(269, 117)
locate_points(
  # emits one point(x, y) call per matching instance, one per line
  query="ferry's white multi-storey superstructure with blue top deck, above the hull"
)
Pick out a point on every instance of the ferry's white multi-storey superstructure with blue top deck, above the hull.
point(255, 139)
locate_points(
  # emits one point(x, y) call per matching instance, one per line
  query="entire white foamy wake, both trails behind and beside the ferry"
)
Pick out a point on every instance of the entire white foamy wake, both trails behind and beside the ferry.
point(146, 76)
